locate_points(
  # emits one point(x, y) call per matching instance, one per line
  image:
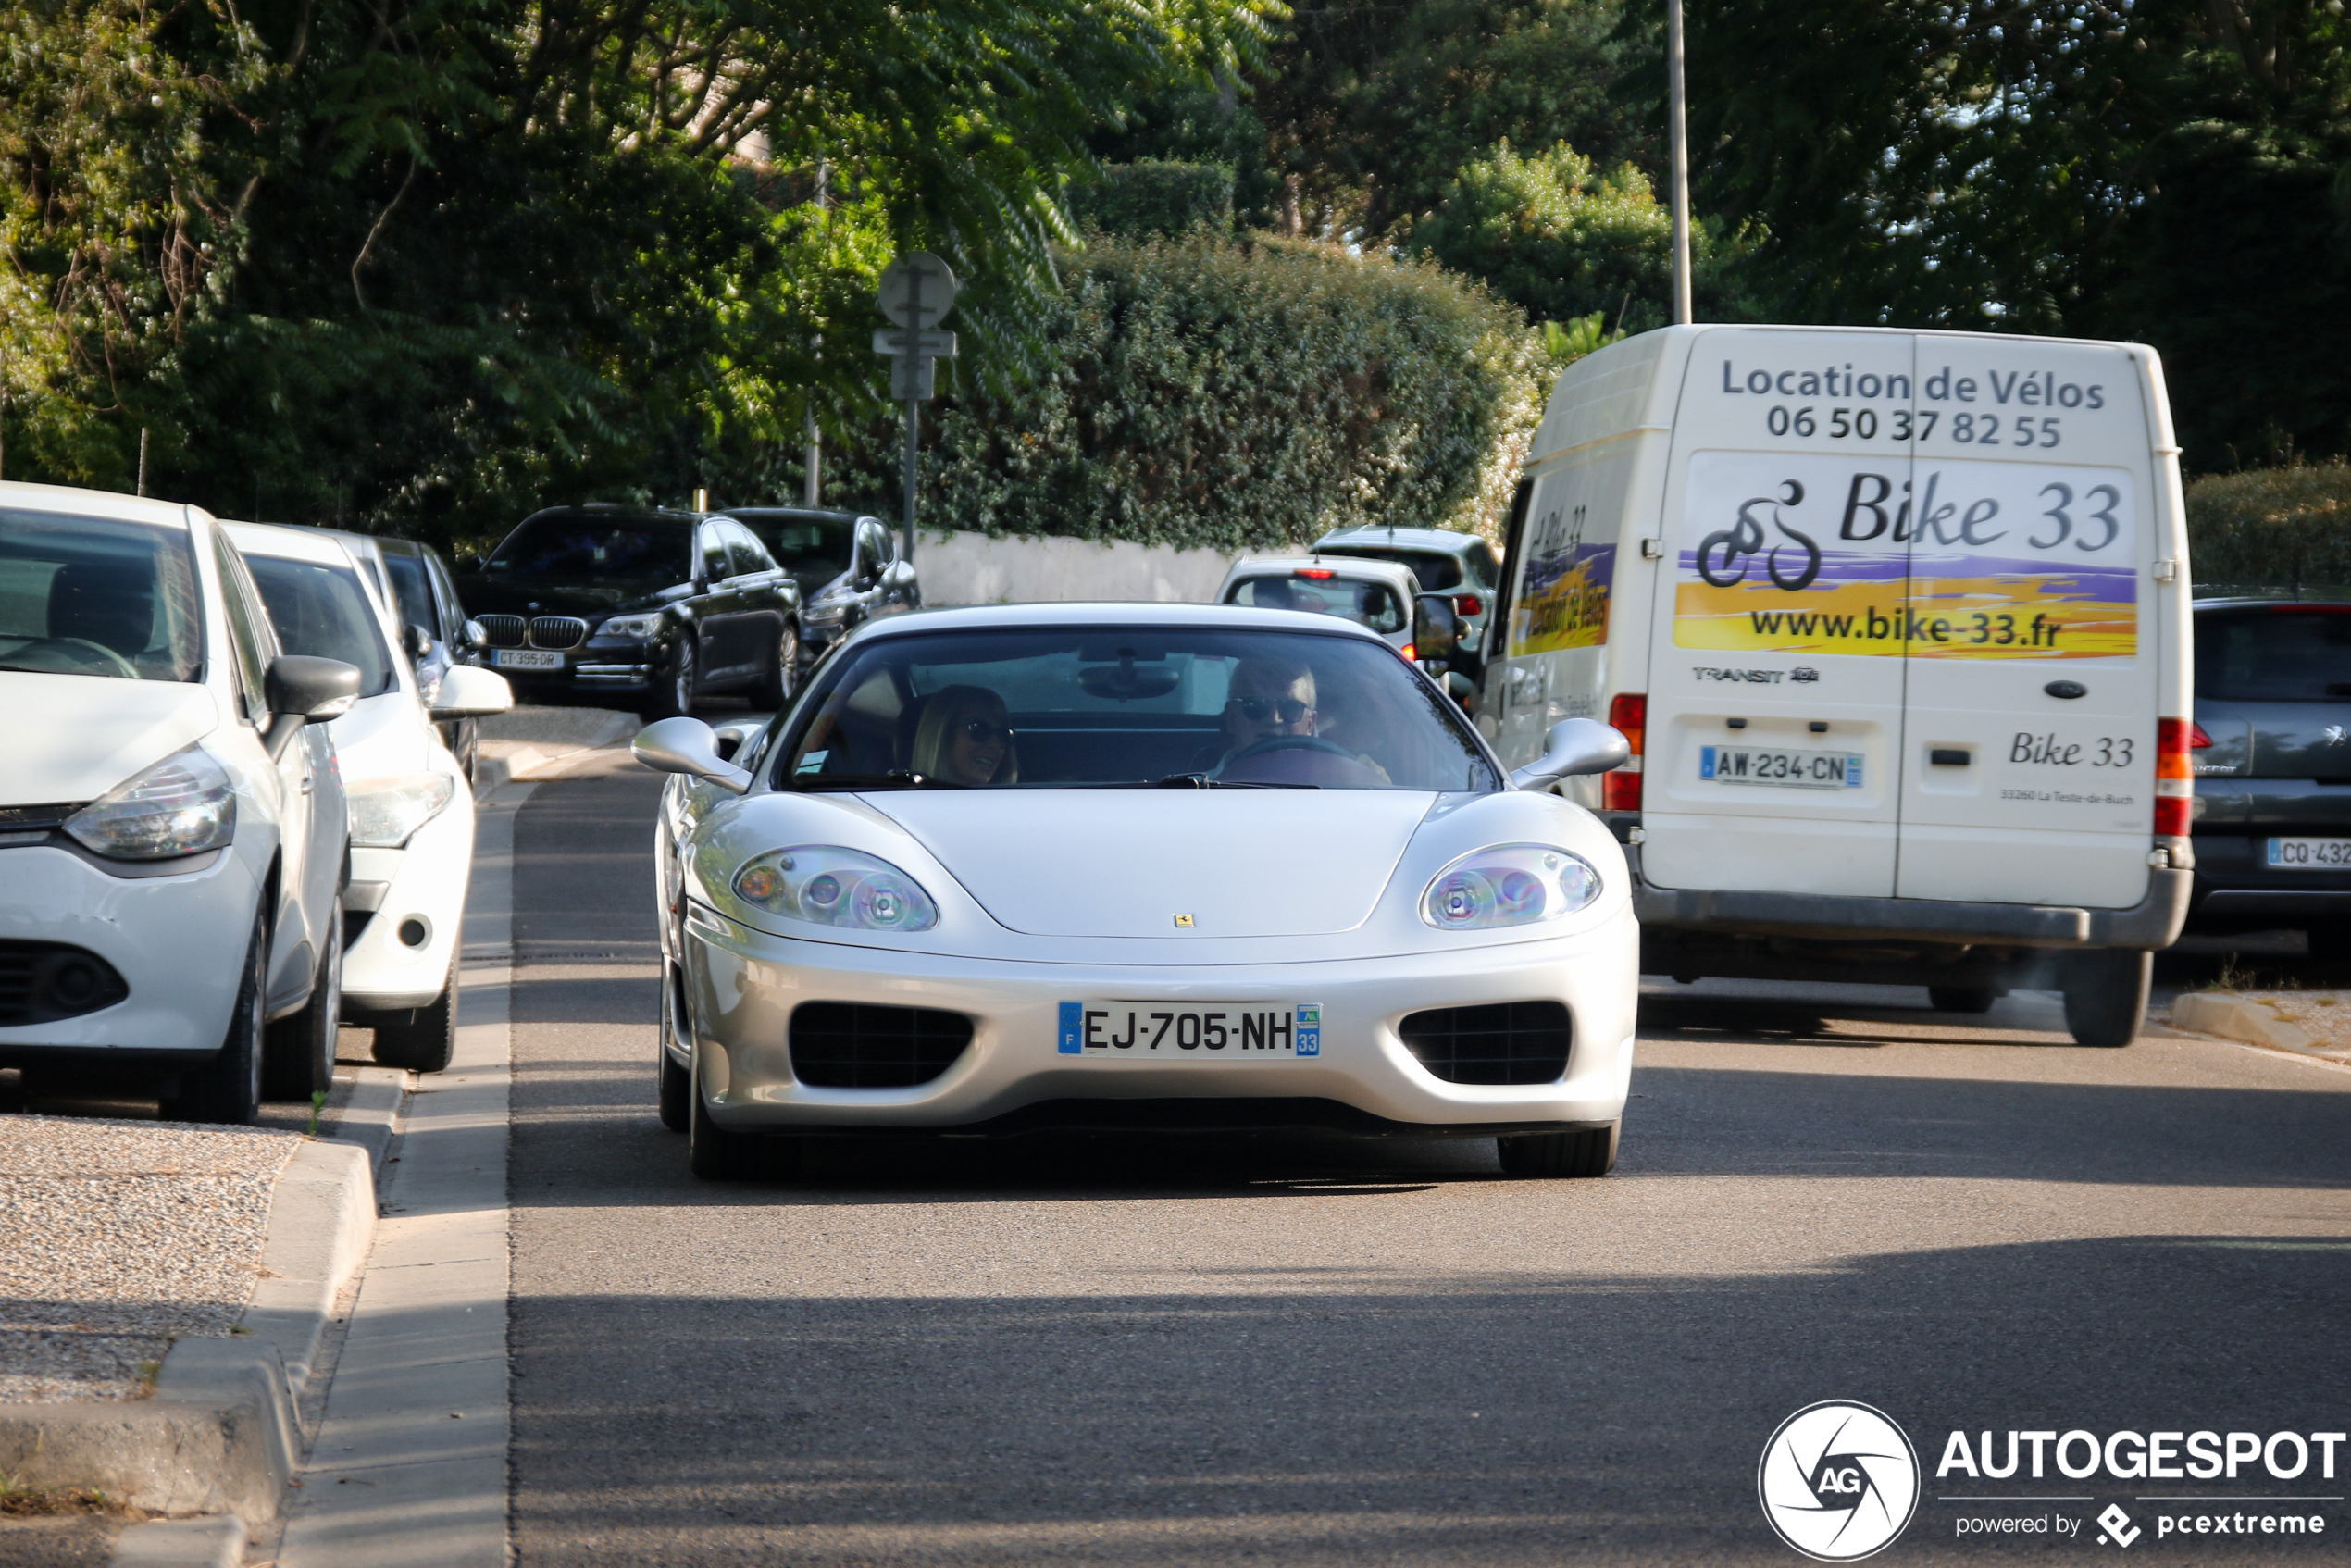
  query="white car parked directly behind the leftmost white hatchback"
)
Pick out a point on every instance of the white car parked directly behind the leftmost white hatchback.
point(410, 800)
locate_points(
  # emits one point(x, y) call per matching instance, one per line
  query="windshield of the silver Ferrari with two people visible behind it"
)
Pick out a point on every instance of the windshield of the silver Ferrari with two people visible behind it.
point(1130, 706)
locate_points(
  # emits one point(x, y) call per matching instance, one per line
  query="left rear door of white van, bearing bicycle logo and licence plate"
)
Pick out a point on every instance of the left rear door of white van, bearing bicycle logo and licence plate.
point(1776, 645)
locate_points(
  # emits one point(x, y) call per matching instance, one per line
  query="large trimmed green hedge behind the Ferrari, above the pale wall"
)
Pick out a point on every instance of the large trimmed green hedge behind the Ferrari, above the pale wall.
point(1250, 396)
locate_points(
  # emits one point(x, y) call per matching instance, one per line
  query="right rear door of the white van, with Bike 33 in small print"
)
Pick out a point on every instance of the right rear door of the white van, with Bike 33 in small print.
point(2030, 760)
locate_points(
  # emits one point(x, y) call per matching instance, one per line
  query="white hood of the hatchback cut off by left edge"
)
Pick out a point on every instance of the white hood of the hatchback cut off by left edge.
point(83, 735)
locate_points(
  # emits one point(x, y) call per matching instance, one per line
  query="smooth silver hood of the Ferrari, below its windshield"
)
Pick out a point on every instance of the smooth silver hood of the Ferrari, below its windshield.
point(1134, 862)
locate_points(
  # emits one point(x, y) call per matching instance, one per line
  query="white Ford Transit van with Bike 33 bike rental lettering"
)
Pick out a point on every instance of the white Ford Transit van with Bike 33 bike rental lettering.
point(1898, 624)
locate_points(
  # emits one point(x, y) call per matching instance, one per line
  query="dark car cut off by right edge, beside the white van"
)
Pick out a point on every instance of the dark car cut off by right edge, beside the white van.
point(2275, 770)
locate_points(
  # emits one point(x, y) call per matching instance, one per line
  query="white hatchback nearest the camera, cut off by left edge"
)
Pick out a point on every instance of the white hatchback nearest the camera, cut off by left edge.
point(170, 815)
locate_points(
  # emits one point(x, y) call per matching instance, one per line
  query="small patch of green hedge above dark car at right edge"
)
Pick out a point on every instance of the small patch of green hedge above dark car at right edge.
point(2284, 530)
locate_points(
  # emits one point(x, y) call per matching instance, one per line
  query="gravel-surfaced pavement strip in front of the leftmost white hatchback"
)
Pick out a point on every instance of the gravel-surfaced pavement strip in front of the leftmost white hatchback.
point(121, 1238)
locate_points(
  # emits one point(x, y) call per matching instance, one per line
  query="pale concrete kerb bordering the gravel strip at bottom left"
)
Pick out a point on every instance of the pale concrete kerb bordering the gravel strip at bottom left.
point(222, 1433)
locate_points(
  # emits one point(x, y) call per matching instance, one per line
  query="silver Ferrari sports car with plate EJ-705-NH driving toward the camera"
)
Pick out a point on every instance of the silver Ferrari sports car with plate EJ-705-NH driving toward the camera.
point(1137, 866)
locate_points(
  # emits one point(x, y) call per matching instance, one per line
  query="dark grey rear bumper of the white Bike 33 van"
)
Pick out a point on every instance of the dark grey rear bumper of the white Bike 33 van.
point(2152, 923)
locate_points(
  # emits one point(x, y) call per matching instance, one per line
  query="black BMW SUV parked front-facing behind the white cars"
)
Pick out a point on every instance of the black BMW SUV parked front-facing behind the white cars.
point(638, 605)
